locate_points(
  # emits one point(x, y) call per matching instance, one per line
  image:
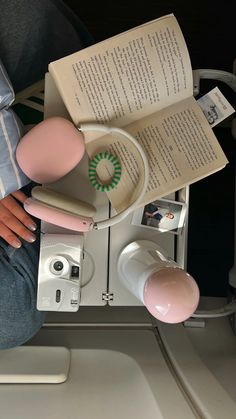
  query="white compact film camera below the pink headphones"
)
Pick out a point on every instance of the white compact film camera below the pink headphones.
point(59, 275)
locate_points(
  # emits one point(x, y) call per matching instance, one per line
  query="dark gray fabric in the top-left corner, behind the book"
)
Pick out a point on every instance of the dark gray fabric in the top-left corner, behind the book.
point(34, 33)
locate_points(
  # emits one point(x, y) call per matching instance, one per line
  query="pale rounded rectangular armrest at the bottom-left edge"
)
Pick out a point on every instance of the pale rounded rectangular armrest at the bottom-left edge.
point(34, 364)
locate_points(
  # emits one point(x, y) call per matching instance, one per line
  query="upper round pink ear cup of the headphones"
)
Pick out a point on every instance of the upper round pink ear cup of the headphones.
point(50, 150)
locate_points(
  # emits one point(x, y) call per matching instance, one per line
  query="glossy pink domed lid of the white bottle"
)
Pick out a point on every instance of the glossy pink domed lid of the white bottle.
point(171, 295)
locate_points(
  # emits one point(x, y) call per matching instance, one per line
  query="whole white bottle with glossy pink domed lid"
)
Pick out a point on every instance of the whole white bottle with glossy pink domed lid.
point(169, 293)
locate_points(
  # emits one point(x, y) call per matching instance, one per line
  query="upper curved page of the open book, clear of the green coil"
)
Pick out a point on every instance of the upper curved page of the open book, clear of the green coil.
point(126, 77)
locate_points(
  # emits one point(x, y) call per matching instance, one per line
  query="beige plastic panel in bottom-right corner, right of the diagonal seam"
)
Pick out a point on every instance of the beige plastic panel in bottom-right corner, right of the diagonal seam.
point(205, 360)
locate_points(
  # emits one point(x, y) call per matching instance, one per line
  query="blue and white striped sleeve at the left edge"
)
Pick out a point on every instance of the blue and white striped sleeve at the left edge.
point(11, 130)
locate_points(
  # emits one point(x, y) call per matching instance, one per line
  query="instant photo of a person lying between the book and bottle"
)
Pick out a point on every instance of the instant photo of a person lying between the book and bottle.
point(163, 215)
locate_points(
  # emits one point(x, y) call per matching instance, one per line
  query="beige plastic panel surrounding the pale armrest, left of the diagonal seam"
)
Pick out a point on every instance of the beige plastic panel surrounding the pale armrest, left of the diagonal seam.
point(113, 374)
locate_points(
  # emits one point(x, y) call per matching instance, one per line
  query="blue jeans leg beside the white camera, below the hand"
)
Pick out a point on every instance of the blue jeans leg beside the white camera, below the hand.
point(19, 318)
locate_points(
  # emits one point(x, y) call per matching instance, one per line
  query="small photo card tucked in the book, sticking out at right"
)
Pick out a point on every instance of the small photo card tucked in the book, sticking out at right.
point(215, 106)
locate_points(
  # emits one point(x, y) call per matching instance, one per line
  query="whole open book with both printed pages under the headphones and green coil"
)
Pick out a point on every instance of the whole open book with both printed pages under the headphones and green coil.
point(141, 81)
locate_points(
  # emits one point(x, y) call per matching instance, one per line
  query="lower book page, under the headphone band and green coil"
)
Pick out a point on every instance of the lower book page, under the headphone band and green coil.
point(181, 148)
